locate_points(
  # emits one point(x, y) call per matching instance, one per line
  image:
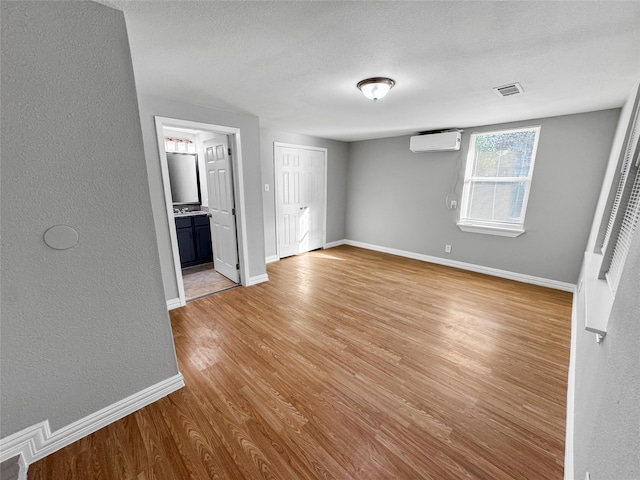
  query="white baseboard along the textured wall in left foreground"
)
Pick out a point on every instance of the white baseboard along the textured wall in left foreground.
point(38, 441)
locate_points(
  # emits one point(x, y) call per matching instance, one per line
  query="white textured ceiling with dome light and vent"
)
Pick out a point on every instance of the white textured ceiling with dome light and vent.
point(296, 64)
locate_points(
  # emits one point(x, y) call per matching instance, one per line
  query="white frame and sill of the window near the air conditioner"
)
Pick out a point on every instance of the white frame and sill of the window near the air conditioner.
point(486, 226)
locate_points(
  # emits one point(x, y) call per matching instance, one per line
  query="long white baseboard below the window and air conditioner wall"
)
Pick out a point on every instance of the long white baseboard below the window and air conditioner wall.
point(520, 277)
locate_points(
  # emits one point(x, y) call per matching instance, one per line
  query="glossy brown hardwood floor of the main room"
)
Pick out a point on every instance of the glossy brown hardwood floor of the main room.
point(351, 364)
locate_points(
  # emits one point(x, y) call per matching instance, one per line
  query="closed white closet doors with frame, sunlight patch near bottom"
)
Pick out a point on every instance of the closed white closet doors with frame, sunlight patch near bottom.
point(300, 174)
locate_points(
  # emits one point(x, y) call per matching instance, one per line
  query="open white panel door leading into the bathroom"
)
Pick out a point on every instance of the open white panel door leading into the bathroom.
point(221, 207)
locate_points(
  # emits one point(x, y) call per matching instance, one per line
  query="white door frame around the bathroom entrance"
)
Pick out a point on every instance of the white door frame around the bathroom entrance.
point(238, 193)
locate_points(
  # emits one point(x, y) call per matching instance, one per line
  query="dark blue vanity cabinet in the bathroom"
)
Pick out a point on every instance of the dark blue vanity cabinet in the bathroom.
point(194, 240)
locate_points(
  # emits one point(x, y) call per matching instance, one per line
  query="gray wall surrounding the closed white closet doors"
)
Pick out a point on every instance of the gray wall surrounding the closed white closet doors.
point(337, 160)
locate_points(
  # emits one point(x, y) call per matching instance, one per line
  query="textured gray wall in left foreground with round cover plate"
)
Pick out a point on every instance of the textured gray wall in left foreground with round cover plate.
point(86, 327)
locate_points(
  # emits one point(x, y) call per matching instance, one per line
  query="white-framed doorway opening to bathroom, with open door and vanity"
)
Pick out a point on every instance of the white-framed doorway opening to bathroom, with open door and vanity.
point(208, 249)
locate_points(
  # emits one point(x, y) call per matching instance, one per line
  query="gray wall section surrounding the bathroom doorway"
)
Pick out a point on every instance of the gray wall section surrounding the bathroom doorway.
point(151, 106)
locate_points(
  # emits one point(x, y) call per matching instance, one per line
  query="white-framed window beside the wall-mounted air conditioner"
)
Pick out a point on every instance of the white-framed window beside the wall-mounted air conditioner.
point(497, 181)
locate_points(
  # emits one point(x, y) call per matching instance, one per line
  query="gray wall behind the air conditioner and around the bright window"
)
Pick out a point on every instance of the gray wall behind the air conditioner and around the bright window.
point(396, 198)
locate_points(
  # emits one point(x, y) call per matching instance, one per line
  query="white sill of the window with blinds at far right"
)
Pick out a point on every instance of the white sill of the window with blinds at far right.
point(594, 296)
